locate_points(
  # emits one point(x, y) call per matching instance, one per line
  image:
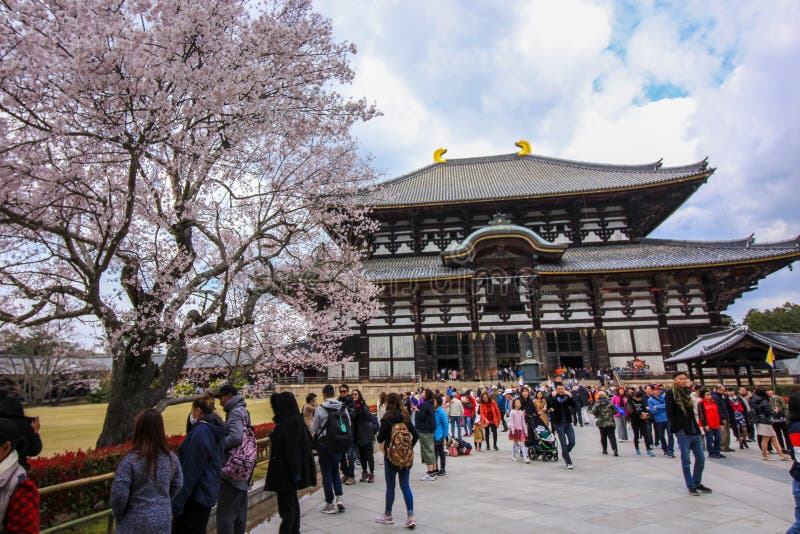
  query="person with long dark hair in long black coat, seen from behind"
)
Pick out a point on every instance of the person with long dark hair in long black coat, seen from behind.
point(291, 464)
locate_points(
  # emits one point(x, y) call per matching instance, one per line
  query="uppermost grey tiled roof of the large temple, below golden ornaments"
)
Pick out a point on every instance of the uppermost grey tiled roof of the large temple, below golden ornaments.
point(513, 176)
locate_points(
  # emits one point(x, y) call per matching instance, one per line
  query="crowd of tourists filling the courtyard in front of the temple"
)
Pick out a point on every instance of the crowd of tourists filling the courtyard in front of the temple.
point(157, 490)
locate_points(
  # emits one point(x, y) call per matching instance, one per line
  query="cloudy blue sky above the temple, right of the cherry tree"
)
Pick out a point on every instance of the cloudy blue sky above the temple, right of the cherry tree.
point(616, 82)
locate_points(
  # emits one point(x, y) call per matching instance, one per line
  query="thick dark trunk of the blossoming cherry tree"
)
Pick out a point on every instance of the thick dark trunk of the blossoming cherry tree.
point(138, 383)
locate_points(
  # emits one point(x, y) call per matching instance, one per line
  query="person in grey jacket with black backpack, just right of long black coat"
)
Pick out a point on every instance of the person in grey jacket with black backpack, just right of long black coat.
point(328, 449)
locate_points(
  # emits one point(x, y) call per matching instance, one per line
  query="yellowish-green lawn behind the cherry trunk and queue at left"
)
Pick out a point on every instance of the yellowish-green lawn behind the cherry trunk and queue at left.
point(68, 428)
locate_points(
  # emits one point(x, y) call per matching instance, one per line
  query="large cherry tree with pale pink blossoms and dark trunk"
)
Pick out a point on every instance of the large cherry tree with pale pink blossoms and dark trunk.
point(176, 170)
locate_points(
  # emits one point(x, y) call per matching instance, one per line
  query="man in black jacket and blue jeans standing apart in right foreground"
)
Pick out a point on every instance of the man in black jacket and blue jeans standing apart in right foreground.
point(681, 417)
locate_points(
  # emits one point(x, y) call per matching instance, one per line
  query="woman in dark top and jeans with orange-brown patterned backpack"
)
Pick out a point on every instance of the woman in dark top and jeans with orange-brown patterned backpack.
point(398, 437)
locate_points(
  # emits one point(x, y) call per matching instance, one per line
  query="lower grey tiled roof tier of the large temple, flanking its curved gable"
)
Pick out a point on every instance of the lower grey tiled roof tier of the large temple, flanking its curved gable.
point(646, 254)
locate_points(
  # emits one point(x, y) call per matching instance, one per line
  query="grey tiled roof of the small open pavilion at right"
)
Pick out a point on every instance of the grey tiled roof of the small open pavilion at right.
point(714, 343)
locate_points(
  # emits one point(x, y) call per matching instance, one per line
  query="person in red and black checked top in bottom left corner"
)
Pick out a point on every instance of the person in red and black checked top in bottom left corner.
point(19, 496)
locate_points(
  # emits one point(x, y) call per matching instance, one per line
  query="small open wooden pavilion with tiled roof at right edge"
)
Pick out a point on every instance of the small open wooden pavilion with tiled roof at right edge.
point(735, 353)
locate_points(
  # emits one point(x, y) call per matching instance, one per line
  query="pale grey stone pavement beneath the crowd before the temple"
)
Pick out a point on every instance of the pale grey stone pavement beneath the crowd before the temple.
point(603, 494)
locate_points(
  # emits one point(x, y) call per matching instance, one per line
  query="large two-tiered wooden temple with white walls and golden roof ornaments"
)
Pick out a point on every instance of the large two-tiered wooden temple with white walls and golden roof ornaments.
point(494, 260)
